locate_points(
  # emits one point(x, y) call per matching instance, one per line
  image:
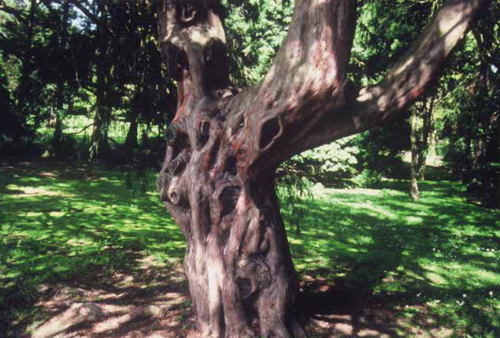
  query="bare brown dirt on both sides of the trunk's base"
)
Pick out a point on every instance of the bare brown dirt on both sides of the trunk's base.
point(154, 302)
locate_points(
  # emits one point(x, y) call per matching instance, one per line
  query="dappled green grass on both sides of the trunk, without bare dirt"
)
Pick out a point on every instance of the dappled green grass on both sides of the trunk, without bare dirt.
point(63, 223)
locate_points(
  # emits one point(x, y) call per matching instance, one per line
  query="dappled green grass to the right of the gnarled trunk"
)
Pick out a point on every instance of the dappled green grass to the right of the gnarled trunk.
point(440, 253)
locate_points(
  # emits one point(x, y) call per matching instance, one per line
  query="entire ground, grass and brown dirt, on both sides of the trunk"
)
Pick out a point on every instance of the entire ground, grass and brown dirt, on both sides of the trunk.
point(371, 261)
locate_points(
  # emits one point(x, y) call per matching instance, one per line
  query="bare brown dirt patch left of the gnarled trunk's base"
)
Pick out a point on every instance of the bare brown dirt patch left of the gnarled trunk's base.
point(150, 302)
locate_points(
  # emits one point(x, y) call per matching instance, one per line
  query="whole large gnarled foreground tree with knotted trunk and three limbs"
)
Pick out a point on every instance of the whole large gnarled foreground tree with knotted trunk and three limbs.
point(225, 144)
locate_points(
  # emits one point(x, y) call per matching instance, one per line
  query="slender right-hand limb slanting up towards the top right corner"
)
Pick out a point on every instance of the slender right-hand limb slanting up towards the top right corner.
point(418, 69)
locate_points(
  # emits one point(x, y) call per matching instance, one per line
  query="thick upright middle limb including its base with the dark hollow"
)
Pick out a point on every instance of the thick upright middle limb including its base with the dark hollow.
point(308, 74)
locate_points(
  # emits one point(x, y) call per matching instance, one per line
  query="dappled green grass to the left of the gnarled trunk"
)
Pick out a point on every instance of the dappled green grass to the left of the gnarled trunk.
point(74, 225)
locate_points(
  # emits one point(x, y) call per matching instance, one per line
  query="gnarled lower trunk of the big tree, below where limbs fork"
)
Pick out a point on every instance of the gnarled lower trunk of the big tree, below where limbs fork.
point(237, 257)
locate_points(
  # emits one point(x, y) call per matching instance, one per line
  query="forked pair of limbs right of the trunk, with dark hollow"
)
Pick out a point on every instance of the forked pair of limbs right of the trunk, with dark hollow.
point(305, 100)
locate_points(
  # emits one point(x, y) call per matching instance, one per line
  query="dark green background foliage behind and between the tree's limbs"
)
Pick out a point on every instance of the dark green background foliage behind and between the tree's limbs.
point(63, 59)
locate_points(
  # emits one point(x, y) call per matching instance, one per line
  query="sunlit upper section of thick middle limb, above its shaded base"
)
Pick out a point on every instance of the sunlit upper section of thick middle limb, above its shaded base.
point(315, 55)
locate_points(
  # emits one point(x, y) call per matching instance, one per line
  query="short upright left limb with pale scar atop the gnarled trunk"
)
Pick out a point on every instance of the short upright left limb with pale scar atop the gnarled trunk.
point(192, 37)
